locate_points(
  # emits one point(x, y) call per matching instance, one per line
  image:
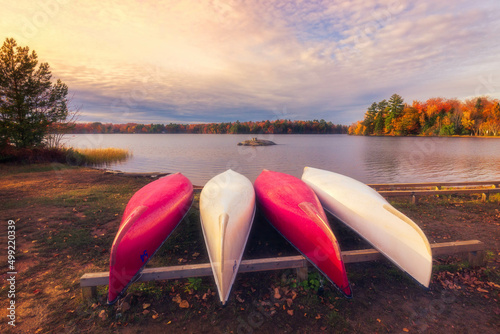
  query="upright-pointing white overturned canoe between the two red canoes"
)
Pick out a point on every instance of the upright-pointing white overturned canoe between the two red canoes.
point(227, 209)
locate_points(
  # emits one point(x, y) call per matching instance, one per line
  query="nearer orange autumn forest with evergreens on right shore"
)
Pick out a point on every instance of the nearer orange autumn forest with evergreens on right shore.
point(434, 117)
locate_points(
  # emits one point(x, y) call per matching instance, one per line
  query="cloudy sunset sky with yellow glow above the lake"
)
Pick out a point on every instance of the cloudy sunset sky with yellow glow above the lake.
point(249, 60)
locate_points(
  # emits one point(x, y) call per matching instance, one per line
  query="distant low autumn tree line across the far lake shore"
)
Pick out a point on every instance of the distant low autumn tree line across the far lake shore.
point(262, 127)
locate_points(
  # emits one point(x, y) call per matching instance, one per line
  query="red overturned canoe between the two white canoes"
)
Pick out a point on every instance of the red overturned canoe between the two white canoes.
point(295, 211)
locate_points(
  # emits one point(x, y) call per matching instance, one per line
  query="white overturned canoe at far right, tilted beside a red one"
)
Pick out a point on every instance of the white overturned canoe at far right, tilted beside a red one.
point(373, 218)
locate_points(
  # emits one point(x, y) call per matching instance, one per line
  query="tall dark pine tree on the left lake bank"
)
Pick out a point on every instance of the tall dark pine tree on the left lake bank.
point(29, 102)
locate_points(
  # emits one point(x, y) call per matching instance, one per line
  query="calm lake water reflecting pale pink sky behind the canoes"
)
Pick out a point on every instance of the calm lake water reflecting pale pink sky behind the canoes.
point(368, 159)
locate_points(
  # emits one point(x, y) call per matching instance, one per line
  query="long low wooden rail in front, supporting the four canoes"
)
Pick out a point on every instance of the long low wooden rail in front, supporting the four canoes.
point(89, 281)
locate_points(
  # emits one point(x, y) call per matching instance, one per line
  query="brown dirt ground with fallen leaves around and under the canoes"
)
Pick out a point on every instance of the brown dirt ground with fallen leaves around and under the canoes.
point(66, 218)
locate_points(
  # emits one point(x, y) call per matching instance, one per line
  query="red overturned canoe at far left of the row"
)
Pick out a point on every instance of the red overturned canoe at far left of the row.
point(150, 216)
